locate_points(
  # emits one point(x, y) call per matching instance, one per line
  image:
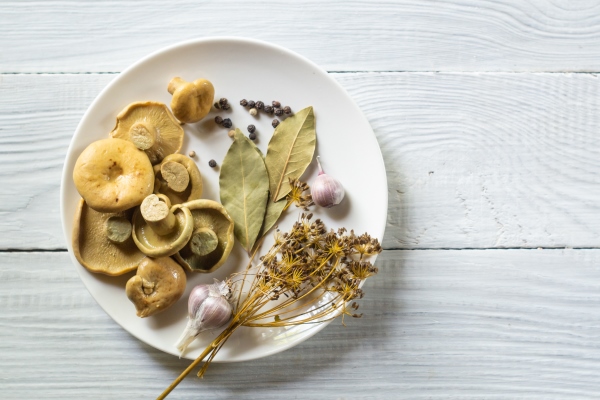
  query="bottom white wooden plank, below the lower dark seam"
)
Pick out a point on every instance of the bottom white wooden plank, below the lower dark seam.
point(436, 324)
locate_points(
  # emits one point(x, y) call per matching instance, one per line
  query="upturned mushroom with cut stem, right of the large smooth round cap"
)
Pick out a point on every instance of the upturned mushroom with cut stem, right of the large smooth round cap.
point(179, 178)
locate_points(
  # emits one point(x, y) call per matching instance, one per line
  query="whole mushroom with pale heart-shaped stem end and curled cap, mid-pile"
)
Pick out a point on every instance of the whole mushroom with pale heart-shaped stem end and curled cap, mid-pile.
point(161, 230)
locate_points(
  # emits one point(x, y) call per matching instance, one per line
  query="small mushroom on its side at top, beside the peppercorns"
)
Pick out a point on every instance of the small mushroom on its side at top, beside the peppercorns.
point(191, 100)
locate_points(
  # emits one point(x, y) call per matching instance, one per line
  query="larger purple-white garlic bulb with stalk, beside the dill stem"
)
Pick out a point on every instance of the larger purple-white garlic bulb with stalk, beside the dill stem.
point(208, 308)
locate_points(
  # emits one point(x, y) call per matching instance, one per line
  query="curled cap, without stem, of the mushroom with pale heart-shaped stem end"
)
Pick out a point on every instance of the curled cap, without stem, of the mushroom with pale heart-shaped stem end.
point(155, 245)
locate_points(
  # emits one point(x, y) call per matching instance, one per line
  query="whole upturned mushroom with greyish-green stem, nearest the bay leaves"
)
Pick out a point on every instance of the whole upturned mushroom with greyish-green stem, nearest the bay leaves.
point(212, 239)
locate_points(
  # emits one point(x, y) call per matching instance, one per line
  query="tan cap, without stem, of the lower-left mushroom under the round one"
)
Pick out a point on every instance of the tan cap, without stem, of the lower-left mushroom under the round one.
point(95, 251)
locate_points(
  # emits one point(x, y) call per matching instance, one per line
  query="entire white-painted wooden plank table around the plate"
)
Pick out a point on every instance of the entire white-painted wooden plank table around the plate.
point(488, 117)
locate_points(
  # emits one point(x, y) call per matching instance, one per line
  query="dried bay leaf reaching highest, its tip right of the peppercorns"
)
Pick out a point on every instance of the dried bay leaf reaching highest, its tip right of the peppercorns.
point(290, 151)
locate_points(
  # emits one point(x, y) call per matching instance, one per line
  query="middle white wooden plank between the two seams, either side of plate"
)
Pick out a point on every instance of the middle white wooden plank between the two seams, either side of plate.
point(473, 160)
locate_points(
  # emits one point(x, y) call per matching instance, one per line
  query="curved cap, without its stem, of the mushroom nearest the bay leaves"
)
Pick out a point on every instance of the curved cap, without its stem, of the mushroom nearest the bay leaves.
point(208, 214)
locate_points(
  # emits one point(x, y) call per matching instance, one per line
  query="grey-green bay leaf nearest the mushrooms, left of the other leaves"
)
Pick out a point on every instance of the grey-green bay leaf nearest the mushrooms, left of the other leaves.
point(244, 188)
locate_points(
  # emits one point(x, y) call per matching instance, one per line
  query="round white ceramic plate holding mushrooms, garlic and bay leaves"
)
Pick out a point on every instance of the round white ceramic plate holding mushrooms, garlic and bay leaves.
point(250, 69)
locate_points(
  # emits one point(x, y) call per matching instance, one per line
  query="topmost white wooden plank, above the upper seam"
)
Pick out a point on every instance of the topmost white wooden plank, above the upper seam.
point(404, 35)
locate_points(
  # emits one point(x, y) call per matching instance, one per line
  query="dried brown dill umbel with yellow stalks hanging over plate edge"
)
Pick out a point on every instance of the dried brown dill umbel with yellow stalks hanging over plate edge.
point(309, 275)
